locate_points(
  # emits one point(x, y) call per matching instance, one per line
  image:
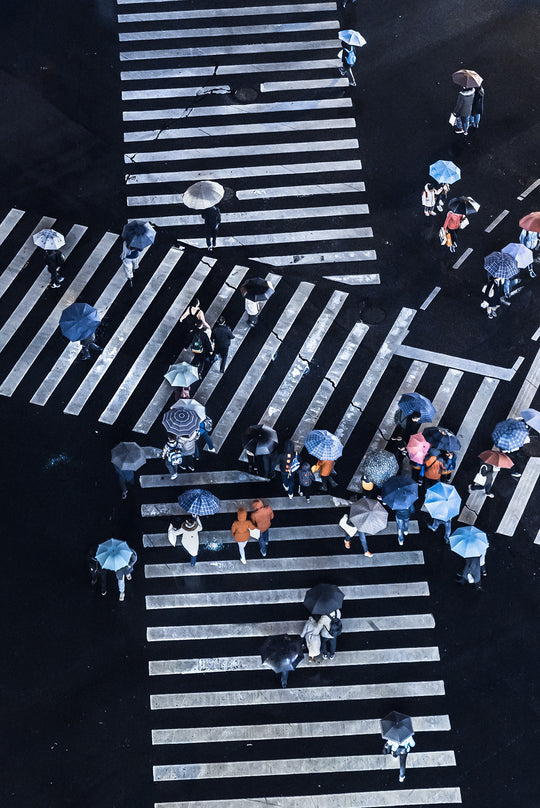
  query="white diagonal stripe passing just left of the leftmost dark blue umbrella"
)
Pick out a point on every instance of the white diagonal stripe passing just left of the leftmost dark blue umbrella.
point(49, 327)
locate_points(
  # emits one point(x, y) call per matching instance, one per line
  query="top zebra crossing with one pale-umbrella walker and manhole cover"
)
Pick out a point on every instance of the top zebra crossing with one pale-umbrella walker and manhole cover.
point(293, 118)
